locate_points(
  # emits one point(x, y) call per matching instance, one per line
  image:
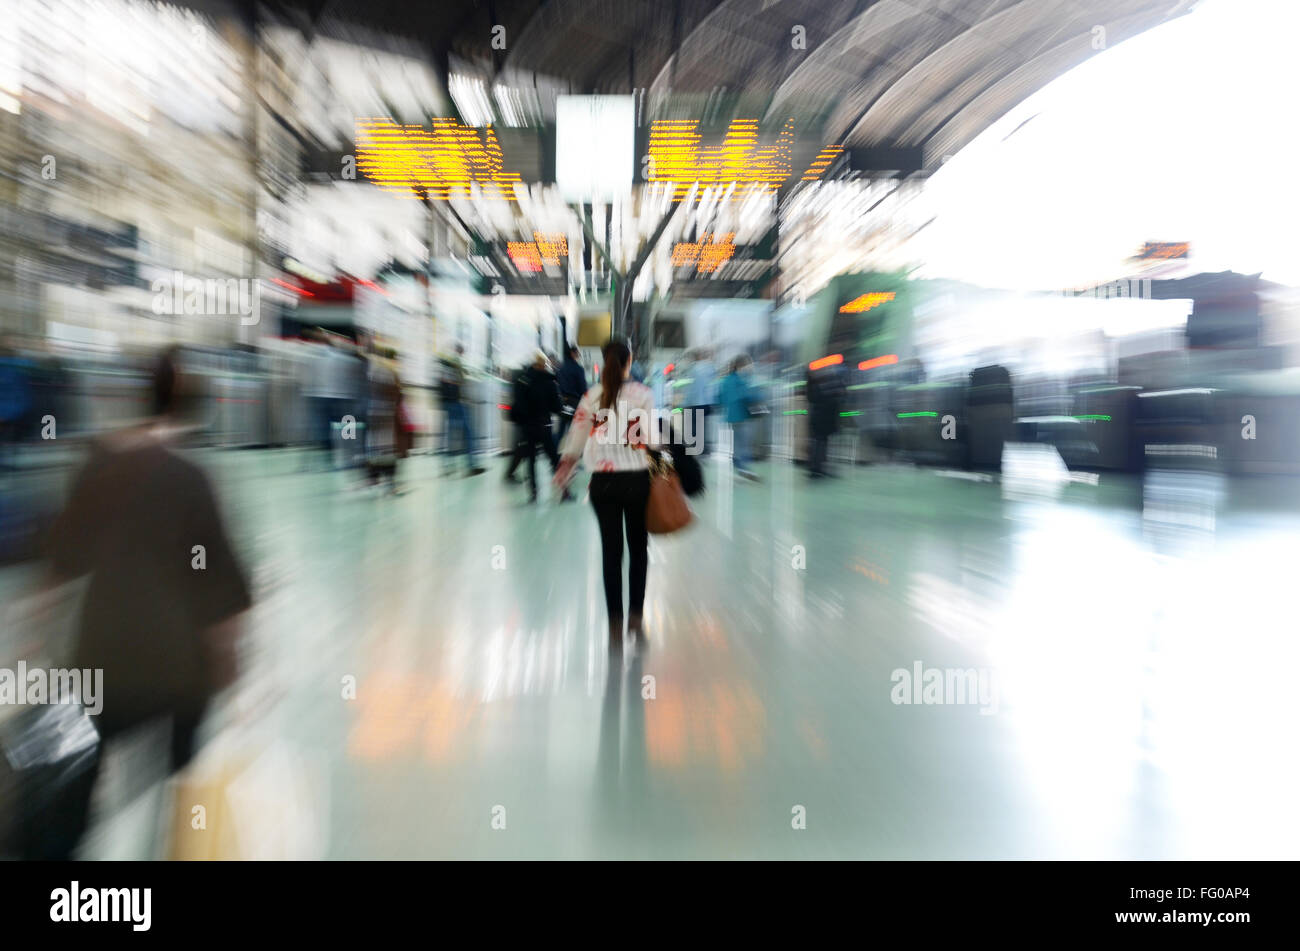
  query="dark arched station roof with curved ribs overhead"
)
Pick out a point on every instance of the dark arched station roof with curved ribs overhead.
point(876, 73)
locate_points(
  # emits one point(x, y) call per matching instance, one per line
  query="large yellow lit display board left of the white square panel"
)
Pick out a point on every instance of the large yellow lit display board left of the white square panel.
point(449, 162)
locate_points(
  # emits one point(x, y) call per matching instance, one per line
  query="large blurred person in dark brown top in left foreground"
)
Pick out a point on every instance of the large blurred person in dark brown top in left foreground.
point(166, 596)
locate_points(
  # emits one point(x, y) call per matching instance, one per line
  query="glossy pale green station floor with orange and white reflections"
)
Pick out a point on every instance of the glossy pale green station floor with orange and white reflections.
point(430, 675)
